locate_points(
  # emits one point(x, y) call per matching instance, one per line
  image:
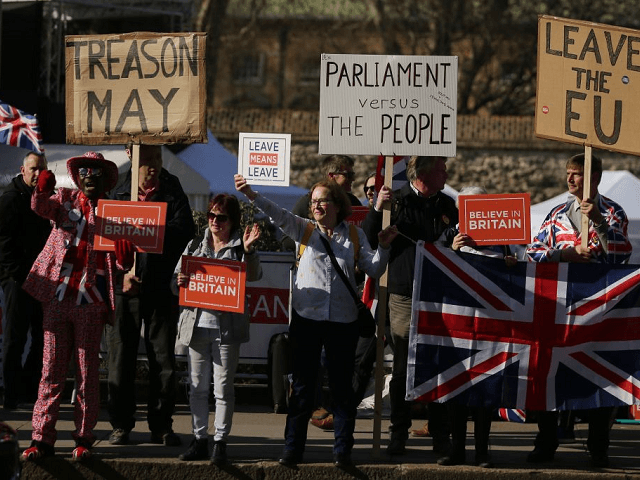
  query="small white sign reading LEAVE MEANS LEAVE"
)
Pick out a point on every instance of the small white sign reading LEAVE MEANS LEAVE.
point(264, 158)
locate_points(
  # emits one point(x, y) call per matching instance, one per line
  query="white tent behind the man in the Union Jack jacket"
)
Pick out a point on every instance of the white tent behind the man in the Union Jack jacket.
point(622, 187)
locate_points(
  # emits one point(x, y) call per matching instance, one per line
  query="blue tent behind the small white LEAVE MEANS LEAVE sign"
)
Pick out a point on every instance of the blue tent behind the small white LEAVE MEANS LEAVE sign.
point(218, 165)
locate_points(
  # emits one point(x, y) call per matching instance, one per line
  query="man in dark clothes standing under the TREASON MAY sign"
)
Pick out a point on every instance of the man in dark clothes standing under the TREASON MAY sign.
point(145, 297)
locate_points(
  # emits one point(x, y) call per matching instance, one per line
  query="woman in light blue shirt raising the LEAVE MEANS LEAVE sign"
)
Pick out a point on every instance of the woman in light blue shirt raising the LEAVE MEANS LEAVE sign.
point(324, 312)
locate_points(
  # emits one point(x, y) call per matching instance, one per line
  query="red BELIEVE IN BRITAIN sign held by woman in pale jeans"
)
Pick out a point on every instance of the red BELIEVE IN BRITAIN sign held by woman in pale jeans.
point(213, 284)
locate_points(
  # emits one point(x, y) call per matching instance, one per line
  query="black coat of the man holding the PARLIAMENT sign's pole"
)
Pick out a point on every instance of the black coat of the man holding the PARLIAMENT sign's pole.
point(418, 218)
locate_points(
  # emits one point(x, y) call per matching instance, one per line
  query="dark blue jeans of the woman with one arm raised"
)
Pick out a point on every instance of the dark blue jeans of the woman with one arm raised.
point(307, 339)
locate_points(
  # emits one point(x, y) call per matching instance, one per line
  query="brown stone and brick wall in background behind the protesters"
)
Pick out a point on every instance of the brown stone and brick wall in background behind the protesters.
point(501, 154)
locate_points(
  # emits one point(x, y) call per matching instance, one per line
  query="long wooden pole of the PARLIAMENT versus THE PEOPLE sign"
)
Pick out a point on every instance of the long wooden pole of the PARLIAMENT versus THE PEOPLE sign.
point(382, 320)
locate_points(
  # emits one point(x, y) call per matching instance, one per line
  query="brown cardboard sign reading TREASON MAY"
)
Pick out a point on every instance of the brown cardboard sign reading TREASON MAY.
point(136, 87)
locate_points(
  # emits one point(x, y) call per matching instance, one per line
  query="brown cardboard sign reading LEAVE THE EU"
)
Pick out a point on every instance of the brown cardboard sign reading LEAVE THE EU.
point(588, 84)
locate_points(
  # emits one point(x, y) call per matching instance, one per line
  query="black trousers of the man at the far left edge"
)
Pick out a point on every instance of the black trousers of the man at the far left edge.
point(22, 313)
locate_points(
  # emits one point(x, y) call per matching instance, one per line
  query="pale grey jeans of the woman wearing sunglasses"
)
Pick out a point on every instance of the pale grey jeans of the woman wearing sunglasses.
point(207, 354)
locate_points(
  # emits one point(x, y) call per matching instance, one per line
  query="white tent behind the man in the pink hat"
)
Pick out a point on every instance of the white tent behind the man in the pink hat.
point(194, 185)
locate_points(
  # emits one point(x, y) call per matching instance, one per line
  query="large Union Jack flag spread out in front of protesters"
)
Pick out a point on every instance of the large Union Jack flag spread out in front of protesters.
point(540, 336)
